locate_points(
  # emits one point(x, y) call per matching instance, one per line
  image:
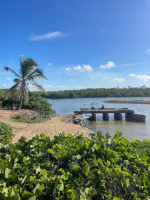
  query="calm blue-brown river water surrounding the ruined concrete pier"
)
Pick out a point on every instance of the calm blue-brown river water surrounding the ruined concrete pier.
point(131, 130)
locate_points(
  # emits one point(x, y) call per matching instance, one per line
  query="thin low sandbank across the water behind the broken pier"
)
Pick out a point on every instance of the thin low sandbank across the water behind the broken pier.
point(129, 101)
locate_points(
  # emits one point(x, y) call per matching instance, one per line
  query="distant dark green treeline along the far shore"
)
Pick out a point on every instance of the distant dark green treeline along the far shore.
point(101, 92)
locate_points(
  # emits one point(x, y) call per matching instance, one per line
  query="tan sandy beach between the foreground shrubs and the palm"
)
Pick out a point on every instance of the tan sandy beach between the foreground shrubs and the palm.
point(55, 125)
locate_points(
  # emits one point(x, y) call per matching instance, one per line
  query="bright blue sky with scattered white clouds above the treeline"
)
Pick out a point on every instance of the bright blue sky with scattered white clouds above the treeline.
point(78, 43)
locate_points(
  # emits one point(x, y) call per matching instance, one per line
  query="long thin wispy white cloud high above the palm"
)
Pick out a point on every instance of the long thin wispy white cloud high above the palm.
point(50, 35)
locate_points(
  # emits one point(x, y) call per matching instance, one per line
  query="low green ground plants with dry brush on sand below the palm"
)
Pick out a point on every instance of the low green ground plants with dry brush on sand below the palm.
point(22, 118)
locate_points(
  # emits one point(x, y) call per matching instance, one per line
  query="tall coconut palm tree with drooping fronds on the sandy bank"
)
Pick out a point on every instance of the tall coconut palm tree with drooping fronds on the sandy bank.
point(27, 75)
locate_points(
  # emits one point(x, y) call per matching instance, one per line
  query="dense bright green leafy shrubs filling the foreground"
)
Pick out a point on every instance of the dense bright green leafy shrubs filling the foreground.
point(75, 168)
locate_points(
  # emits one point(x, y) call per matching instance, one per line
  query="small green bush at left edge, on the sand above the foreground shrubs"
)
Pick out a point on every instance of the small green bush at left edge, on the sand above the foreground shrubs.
point(6, 133)
